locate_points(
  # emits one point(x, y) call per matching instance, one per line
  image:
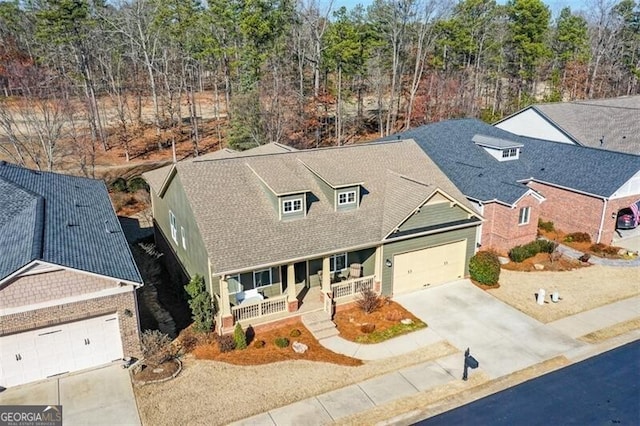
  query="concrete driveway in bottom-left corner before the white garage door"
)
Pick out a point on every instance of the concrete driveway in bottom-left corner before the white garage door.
point(97, 397)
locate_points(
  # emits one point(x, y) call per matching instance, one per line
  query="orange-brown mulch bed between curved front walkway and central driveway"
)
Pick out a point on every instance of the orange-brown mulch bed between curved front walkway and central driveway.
point(350, 321)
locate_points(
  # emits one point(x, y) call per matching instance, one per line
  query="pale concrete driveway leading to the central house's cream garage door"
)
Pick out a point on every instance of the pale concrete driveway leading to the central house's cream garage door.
point(501, 338)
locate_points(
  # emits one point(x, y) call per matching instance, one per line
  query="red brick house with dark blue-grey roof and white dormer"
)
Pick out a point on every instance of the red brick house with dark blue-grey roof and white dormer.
point(514, 180)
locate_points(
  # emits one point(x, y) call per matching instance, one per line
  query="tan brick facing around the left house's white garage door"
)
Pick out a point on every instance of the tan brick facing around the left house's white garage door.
point(59, 314)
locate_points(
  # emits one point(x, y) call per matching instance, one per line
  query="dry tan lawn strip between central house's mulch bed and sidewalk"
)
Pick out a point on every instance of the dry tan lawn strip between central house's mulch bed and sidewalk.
point(215, 393)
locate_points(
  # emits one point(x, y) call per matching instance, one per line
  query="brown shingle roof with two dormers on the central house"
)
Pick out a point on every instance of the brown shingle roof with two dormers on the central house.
point(243, 230)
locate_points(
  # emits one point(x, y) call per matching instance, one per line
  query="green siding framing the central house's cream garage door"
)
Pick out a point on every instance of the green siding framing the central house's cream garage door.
point(390, 249)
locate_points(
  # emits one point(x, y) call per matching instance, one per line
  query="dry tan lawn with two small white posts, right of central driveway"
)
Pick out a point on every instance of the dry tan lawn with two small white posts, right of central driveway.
point(580, 290)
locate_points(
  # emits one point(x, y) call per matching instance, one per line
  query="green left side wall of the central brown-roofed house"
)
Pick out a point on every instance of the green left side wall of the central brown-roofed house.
point(194, 258)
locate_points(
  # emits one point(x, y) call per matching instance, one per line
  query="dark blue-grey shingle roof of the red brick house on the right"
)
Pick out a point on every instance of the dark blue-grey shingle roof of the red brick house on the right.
point(481, 177)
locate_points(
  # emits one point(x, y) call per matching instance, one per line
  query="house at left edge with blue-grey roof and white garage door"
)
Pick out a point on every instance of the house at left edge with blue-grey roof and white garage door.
point(67, 277)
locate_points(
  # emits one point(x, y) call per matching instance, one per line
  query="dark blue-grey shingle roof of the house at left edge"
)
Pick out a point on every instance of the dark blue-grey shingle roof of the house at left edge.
point(60, 219)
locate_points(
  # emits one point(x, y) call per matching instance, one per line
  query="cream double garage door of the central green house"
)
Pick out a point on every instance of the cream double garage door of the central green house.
point(428, 267)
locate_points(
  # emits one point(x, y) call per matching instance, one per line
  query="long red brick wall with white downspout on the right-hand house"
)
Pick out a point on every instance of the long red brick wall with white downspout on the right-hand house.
point(573, 212)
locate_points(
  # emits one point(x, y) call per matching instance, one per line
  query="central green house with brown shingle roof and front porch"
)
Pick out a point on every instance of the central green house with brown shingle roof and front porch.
point(277, 232)
